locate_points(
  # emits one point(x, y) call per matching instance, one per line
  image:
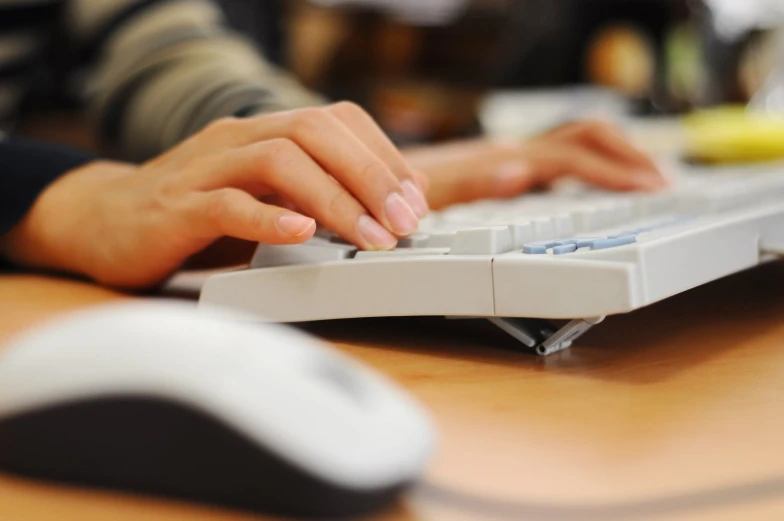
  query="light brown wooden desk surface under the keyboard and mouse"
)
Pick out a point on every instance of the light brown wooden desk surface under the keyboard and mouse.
point(681, 401)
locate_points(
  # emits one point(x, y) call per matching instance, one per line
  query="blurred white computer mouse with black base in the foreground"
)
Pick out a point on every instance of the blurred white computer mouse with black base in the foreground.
point(201, 405)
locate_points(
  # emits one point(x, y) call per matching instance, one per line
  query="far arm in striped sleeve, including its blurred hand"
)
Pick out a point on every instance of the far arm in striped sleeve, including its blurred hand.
point(171, 67)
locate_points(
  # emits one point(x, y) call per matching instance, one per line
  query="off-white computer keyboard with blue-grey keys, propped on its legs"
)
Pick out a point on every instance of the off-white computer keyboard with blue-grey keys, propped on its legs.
point(574, 253)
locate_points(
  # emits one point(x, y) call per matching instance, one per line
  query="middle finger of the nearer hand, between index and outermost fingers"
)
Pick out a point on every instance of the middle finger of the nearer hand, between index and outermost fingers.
point(341, 154)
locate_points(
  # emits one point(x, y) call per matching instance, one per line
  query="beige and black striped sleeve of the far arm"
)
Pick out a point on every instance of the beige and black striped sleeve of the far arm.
point(158, 71)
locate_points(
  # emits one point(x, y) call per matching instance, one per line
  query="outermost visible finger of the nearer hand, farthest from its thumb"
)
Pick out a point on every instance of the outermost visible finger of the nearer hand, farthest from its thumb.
point(366, 129)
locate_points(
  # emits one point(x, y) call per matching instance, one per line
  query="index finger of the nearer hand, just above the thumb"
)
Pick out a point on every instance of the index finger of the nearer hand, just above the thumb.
point(282, 167)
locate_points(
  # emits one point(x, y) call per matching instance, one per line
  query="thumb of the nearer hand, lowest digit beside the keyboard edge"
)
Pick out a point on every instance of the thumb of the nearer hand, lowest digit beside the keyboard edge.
point(234, 213)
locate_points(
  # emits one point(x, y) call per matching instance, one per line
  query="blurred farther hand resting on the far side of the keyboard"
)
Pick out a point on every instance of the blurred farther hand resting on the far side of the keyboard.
point(591, 151)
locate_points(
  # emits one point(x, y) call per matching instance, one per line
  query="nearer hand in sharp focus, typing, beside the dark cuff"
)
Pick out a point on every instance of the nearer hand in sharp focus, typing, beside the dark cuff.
point(132, 226)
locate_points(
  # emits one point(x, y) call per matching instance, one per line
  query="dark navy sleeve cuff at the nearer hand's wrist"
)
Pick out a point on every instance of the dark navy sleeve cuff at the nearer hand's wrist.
point(26, 168)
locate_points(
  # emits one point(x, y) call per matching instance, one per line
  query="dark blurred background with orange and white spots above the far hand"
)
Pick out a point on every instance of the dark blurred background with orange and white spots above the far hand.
point(437, 69)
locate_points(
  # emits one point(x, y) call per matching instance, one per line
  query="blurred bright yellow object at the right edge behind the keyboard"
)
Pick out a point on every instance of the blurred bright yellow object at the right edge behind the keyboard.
point(734, 134)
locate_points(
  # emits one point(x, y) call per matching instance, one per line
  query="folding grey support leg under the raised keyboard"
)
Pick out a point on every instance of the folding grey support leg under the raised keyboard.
point(542, 336)
